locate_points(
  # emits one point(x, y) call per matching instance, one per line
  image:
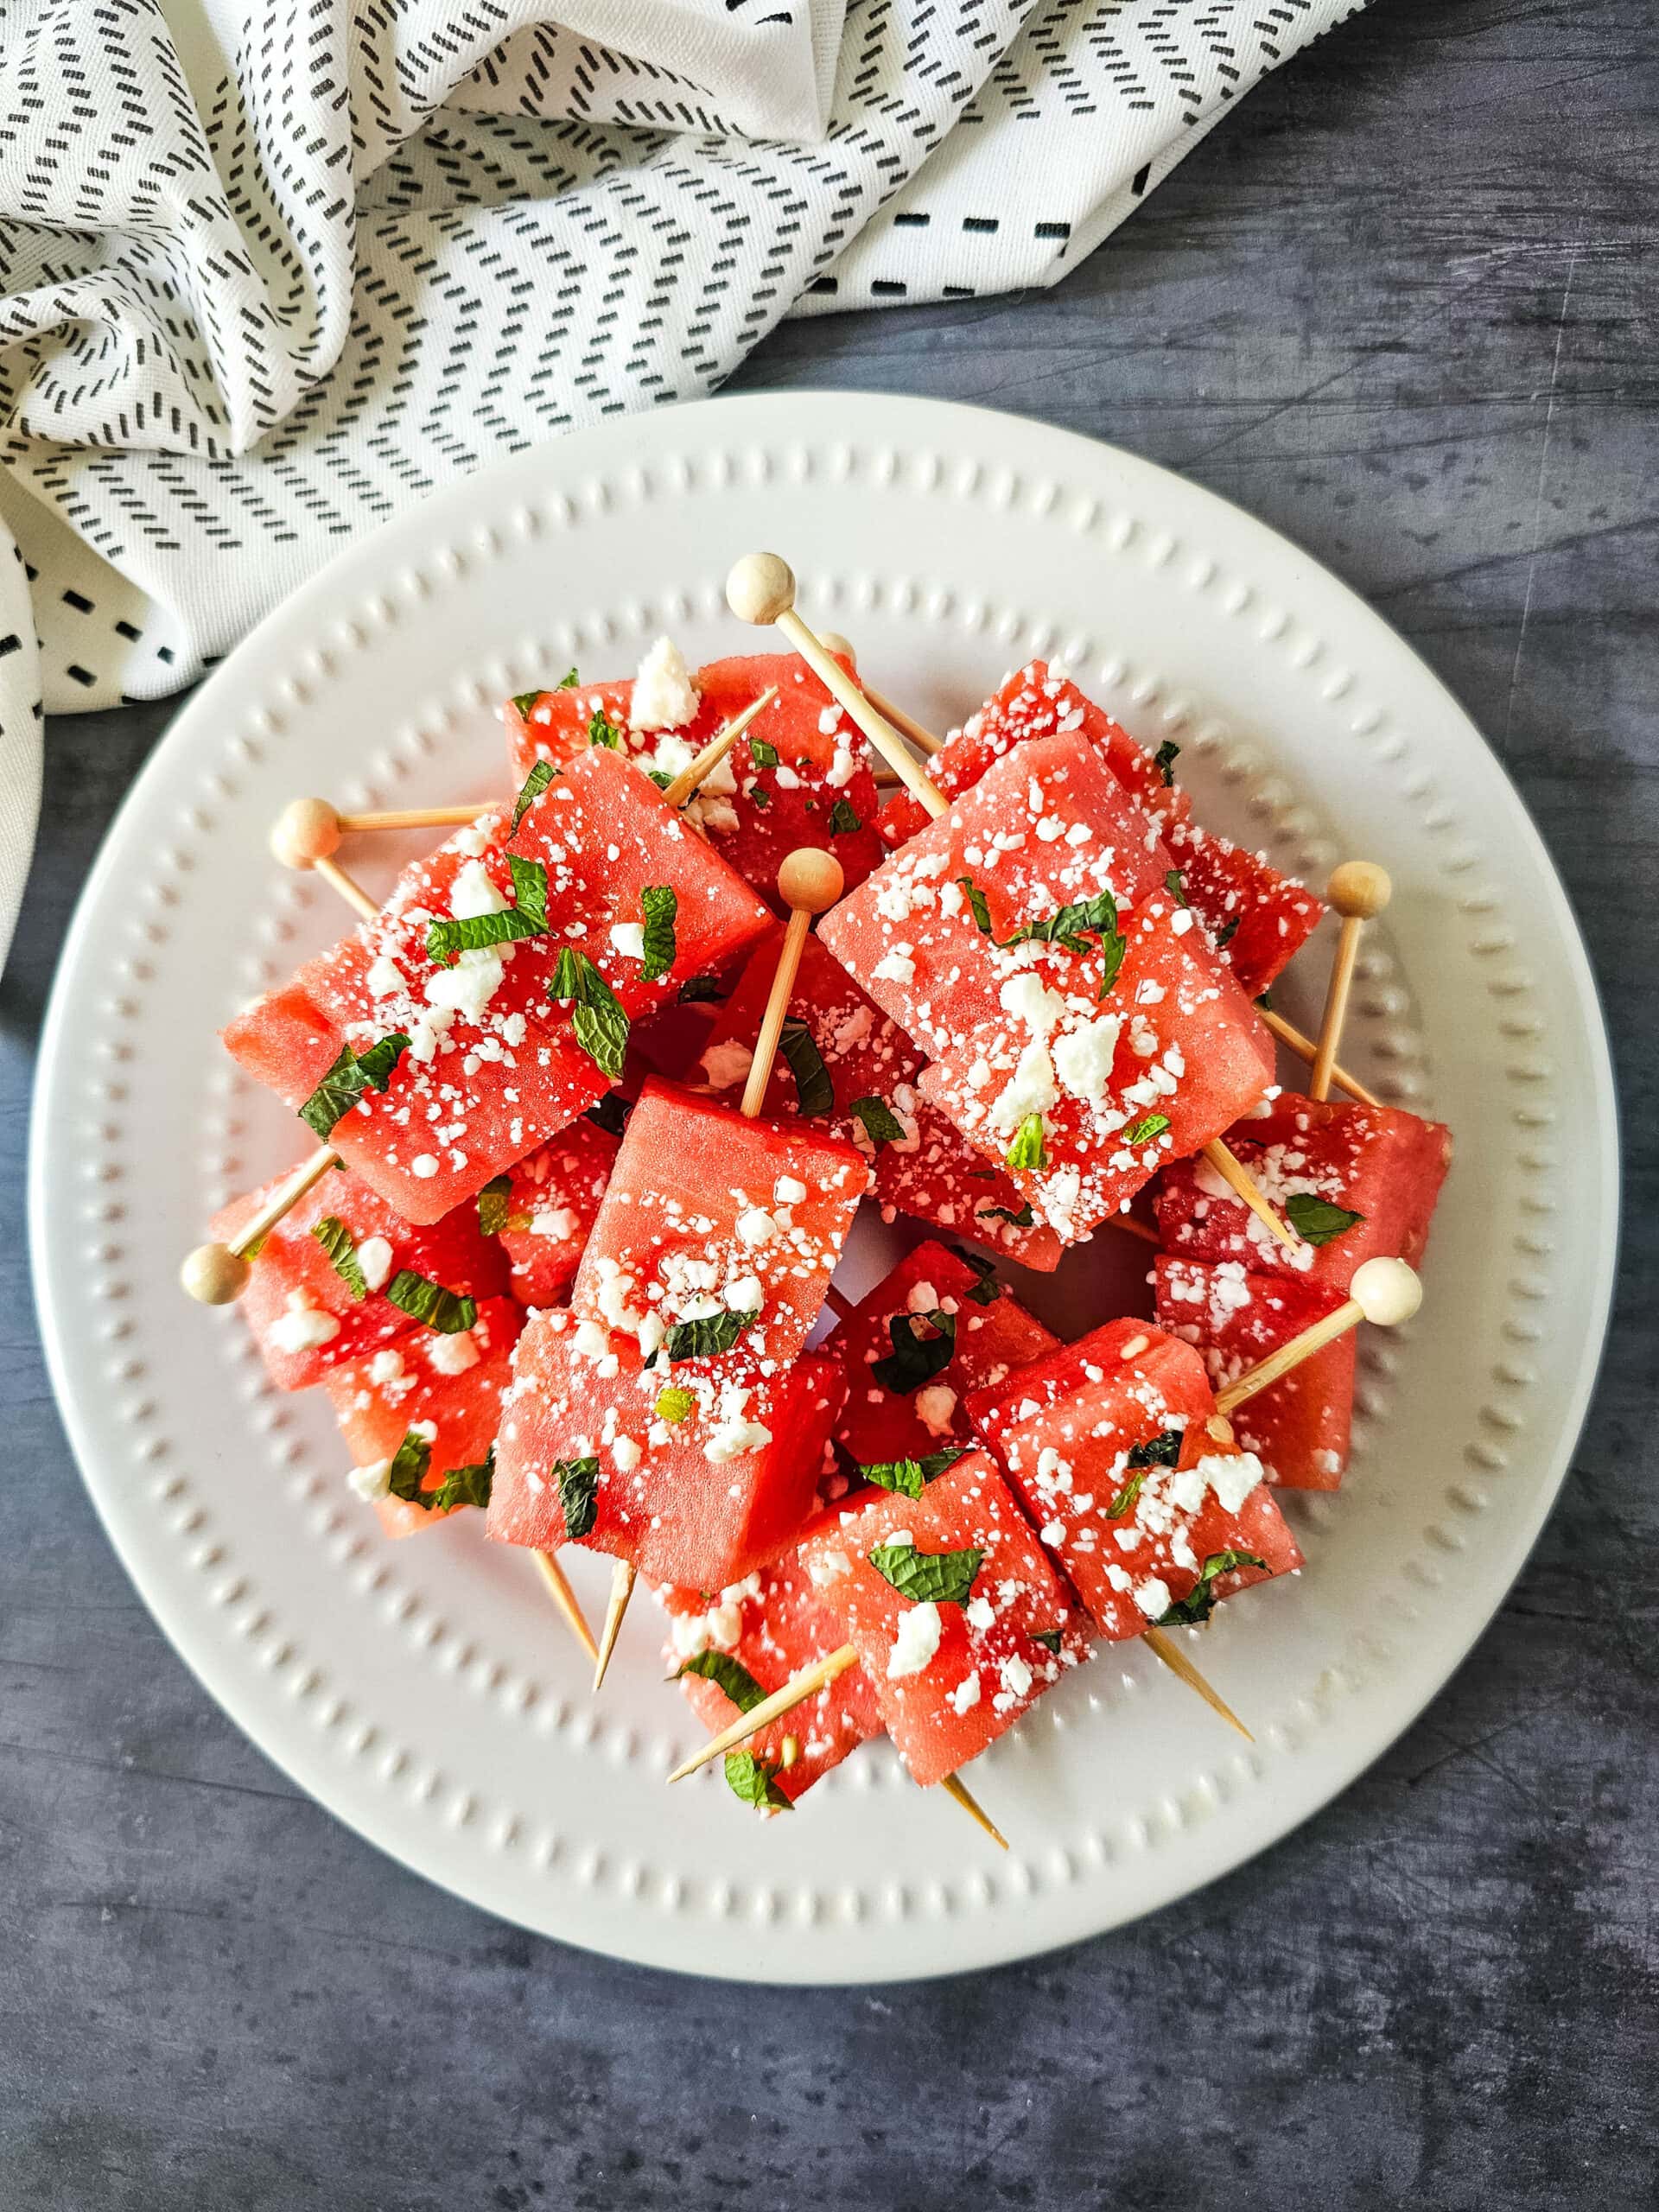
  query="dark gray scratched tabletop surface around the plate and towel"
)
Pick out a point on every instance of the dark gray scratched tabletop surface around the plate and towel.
point(1397, 309)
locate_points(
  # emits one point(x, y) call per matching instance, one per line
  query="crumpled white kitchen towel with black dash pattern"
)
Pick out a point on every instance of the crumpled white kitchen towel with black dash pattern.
point(271, 273)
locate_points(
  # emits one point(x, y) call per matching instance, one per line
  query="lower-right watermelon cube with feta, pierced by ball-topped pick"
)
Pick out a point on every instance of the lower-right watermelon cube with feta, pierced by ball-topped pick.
point(1134, 1538)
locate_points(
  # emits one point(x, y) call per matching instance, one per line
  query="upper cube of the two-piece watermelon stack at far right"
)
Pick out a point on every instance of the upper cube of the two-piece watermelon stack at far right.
point(1375, 1162)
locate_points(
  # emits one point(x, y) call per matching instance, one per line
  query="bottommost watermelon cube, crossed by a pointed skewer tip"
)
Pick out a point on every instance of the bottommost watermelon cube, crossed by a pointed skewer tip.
point(773, 1625)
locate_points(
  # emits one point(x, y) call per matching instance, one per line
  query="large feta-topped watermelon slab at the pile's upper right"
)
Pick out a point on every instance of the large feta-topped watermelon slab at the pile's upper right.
point(1078, 1030)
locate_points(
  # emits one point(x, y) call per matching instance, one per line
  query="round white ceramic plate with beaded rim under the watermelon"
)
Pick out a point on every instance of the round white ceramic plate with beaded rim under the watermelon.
point(424, 1691)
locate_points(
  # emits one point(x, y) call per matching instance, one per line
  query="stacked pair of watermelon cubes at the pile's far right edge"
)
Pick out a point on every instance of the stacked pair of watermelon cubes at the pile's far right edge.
point(1355, 1182)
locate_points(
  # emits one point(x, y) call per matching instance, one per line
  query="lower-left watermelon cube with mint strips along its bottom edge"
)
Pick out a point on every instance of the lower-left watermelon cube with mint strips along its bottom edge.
point(448, 1388)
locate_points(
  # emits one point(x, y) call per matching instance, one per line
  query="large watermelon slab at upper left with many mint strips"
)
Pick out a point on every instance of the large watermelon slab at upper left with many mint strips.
point(477, 1061)
